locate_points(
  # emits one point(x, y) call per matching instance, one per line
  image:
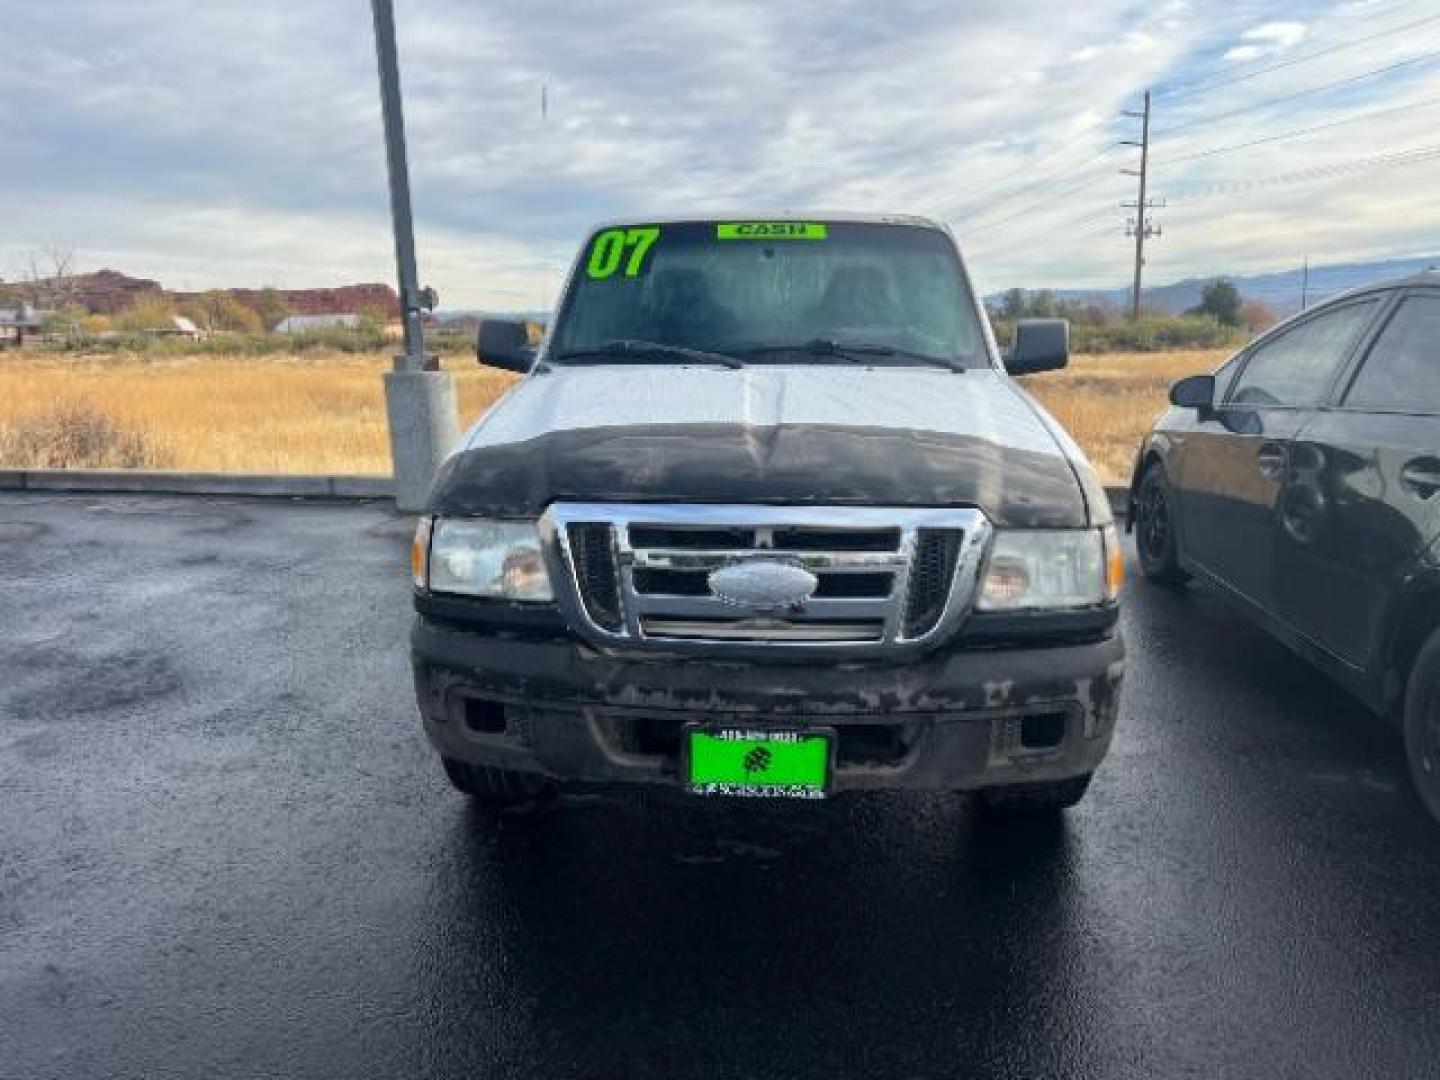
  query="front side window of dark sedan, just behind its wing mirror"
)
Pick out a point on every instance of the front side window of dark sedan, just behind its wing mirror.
point(1297, 368)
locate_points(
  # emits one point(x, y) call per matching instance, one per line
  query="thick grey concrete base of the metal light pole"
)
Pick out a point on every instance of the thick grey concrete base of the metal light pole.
point(424, 427)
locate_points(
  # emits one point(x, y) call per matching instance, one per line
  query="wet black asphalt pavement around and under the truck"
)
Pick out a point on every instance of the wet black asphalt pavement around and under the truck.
point(227, 852)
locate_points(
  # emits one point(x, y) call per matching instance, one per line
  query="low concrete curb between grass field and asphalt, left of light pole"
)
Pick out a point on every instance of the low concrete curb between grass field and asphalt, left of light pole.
point(136, 482)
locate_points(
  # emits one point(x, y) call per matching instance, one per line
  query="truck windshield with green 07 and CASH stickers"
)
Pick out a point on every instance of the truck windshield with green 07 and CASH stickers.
point(771, 293)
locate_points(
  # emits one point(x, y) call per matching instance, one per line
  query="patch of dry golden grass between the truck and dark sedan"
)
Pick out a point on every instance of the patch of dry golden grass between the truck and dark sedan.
point(1108, 402)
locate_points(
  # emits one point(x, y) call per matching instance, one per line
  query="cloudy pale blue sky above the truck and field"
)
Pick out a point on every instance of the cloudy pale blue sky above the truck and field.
point(211, 143)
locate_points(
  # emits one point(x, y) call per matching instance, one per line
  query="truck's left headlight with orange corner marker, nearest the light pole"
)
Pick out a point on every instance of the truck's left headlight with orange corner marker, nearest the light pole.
point(473, 558)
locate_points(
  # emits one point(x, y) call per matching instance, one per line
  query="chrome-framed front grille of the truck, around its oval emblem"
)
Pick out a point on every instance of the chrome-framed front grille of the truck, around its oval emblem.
point(640, 577)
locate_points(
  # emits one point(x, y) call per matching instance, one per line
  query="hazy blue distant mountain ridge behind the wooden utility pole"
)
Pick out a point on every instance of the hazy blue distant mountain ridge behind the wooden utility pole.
point(1279, 292)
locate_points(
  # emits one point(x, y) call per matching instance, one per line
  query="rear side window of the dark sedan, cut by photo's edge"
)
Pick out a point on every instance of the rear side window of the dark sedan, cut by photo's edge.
point(1403, 371)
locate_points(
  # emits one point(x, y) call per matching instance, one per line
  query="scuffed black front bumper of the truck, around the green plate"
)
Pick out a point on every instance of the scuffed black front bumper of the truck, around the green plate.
point(957, 719)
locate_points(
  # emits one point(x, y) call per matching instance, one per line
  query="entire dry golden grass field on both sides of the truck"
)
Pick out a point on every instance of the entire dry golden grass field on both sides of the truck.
point(325, 413)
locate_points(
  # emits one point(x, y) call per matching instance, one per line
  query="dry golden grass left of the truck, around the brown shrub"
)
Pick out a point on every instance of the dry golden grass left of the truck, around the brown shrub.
point(322, 413)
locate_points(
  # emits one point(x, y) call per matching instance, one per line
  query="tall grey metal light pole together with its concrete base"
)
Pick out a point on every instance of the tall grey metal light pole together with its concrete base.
point(420, 400)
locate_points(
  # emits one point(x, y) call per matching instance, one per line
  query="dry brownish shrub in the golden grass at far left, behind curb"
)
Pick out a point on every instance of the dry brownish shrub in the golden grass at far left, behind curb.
point(77, 436)
